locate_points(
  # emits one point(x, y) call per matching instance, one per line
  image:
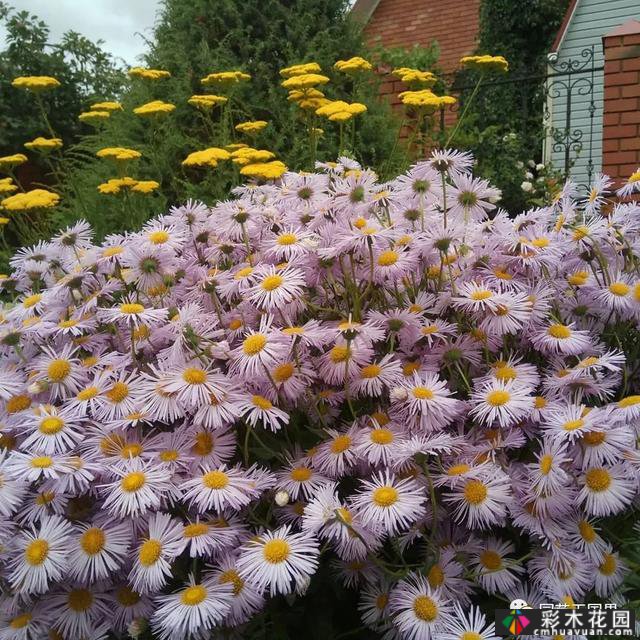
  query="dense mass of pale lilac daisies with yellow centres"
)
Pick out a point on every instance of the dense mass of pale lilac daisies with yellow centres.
point(396, 380)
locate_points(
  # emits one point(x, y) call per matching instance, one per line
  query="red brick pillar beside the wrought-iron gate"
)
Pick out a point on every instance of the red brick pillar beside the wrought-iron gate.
point(621, 125)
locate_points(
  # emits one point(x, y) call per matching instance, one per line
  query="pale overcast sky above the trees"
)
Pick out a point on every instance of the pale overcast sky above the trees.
point(117, 22)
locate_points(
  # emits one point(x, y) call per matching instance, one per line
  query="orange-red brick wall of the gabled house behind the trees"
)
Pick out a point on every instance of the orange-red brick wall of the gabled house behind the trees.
point(453, 23)
